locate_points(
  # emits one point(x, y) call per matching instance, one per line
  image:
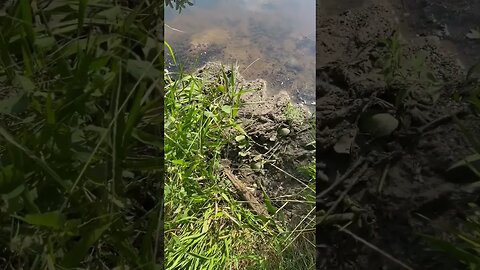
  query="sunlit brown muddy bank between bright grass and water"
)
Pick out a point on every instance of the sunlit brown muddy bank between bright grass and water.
point(267, 159)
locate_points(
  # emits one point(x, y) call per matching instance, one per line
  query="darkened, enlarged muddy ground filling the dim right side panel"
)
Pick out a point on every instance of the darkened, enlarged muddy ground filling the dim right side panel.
point(387, 188)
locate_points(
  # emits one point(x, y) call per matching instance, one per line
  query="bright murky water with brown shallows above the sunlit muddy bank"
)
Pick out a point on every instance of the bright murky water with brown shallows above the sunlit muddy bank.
point(269, 39)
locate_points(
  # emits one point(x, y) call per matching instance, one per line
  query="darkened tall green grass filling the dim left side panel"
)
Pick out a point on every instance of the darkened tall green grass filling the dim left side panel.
point(80, 135)
